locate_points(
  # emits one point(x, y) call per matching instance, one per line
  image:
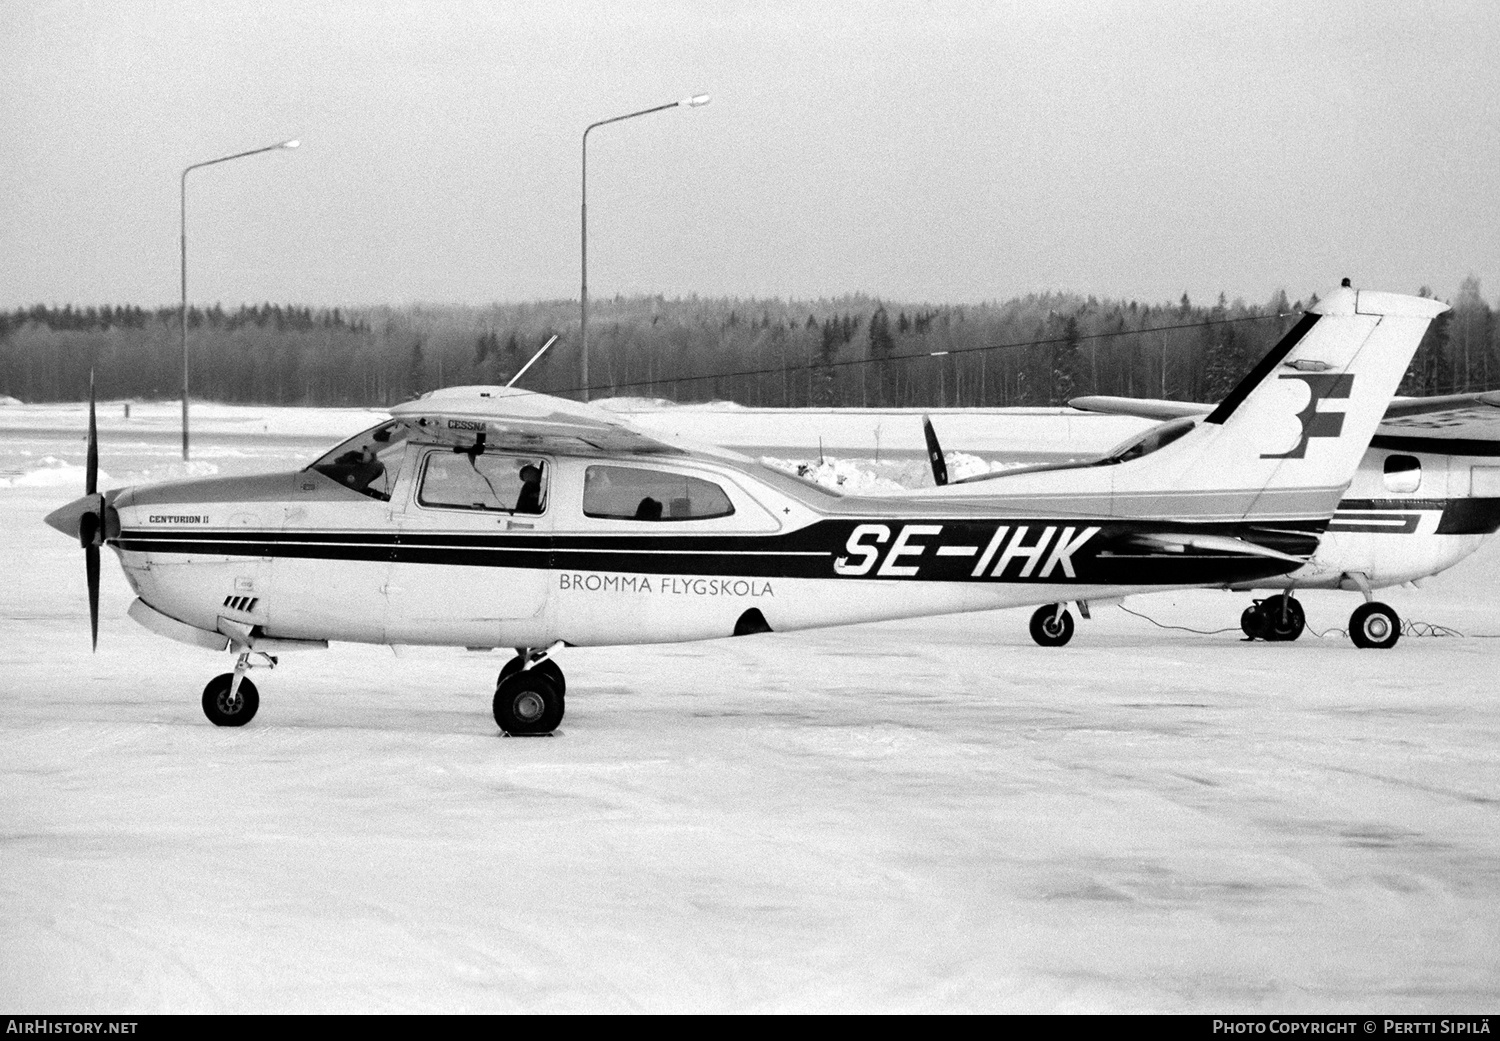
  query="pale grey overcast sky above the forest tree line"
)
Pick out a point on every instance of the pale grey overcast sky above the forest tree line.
point(920, 152)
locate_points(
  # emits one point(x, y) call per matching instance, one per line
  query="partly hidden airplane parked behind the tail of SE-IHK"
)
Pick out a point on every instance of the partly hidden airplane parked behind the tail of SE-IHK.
point(1426, 496)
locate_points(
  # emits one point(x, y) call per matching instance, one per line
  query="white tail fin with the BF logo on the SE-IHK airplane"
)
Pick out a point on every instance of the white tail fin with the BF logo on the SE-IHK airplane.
point(1291, 436)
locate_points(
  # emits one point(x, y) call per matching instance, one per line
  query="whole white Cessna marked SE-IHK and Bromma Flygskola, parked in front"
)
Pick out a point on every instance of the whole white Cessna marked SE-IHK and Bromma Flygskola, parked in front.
point(487, 518)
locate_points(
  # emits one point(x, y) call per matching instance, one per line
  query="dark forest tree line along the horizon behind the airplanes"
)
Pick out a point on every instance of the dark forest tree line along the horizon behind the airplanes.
point(848, 352)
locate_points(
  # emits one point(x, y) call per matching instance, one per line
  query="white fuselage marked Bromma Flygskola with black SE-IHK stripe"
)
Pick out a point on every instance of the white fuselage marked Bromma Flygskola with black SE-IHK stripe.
point(296, 557)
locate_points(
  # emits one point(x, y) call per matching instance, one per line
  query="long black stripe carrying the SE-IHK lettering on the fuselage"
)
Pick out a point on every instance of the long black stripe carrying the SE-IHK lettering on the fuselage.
point(1063, 551)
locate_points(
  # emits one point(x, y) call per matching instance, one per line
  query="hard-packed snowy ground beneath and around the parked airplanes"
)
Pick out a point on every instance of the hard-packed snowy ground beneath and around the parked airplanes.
point(911, 817)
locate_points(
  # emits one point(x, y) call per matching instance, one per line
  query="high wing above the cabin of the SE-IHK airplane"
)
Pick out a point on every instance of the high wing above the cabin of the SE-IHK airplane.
point(524, 421)
